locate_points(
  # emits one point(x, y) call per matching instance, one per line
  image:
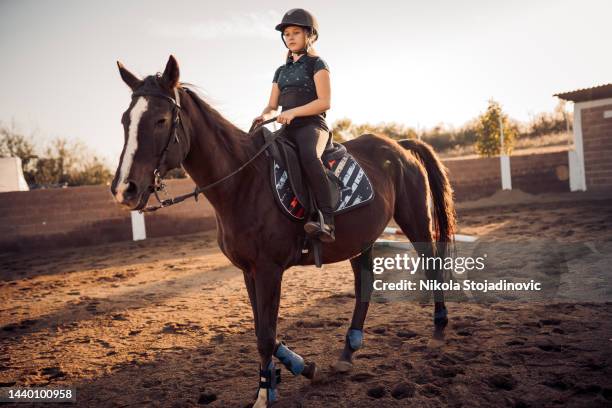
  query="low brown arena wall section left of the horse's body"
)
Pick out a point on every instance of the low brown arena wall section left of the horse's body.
point(78, 216)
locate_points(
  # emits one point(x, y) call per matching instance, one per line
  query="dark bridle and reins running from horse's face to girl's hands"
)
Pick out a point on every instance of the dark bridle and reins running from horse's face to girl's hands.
point(159, 185)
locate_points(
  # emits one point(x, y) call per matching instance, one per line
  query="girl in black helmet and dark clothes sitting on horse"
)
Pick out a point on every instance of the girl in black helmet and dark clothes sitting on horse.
point(302, 87)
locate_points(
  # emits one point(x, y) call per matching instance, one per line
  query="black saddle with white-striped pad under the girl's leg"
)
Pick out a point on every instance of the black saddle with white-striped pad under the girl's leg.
point(348, 183)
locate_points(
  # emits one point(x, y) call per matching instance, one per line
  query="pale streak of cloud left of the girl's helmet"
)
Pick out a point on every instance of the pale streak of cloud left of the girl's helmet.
point(248, 25)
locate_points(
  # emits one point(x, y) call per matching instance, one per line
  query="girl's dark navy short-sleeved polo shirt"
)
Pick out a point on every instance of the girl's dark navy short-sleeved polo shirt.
point(296, 83)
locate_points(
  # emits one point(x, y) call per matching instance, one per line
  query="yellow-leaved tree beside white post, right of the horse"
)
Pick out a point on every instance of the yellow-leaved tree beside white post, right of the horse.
point(488, 134)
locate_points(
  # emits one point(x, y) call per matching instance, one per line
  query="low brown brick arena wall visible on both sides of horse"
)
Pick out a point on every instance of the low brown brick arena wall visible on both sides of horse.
point(77, 216)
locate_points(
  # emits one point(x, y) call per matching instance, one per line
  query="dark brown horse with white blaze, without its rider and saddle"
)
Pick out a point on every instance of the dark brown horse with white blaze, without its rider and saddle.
point(167, 125)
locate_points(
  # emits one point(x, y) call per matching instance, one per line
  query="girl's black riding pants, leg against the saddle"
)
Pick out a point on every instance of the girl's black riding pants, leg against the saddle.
point(311, 140)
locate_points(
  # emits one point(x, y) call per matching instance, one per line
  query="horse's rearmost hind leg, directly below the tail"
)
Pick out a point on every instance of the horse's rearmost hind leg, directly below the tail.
point(413, 217)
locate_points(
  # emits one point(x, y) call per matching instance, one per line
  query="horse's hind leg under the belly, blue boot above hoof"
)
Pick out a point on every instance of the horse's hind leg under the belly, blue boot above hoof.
point(362, 269)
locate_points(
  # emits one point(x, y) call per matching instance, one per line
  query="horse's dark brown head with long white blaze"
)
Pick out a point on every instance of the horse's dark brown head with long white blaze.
point(154, 137)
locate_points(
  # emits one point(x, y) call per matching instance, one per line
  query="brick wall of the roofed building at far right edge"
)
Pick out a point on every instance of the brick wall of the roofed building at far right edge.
point(597, 143)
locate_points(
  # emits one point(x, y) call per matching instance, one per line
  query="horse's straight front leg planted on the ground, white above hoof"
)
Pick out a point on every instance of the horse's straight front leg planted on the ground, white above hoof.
point(267, 284)
